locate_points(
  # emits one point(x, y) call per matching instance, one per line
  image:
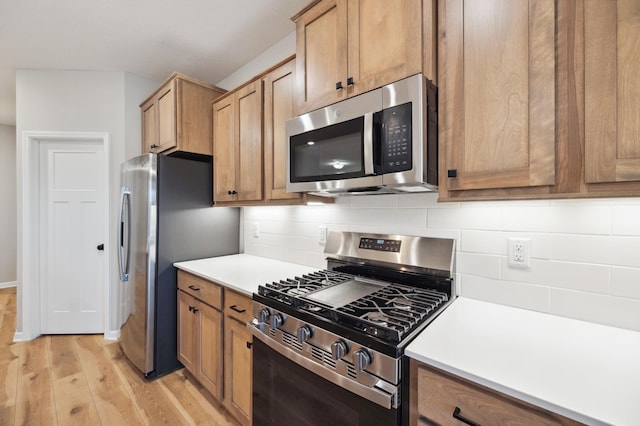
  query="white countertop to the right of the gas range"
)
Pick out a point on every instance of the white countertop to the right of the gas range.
point(585, 371)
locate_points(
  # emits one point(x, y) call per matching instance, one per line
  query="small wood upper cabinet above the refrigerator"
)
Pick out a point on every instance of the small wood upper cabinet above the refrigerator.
point(176, 117)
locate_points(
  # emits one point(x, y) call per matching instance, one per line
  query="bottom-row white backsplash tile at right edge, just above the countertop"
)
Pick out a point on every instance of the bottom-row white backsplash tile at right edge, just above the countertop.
point(602, 309)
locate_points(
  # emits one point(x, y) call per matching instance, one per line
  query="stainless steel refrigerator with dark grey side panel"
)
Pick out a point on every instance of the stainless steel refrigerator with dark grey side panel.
point(166, 216)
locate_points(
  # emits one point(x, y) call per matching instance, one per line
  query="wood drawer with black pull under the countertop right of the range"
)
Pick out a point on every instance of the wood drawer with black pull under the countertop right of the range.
point(441, 398)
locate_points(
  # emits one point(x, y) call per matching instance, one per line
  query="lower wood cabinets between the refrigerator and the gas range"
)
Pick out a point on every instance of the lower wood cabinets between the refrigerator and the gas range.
point(214, 344)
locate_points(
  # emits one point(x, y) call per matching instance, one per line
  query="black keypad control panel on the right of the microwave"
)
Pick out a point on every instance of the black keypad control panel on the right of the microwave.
point(396, 139)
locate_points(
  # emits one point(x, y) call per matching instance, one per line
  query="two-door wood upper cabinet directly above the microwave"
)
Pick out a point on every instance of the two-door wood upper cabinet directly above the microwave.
point(347, 47)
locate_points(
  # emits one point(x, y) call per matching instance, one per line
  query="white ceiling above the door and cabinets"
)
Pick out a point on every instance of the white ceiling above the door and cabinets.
point(207, 39)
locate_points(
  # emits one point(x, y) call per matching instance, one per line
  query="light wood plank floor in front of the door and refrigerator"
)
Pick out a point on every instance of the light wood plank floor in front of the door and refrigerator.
point(85, 380)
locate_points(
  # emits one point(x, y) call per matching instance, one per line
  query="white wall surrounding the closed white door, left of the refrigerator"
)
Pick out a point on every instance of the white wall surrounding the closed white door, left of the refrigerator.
point(83, 101)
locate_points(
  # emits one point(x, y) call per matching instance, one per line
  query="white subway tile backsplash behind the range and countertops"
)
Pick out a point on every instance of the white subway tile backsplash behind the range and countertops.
point(585, 261)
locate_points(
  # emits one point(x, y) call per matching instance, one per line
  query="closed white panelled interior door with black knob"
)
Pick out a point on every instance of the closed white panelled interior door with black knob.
point(72, 204)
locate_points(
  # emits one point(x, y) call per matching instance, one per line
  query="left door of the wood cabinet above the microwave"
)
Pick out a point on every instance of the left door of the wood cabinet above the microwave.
point(321, 54)
